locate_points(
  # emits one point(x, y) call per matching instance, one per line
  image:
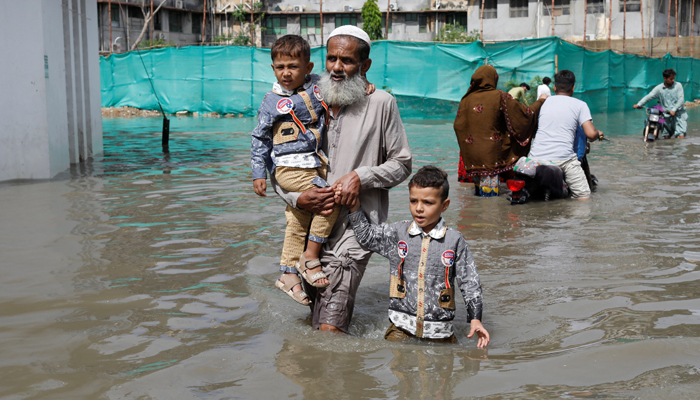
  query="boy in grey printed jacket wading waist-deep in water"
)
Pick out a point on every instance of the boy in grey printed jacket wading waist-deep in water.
point(425, 258)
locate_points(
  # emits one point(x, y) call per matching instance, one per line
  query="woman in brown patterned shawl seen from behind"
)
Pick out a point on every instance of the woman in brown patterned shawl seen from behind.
point(493, 131)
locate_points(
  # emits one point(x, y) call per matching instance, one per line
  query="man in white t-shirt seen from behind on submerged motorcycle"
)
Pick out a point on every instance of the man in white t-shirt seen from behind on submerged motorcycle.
point(560, 117)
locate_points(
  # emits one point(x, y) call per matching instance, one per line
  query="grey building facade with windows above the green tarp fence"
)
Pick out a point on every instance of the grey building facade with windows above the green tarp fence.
point(183, 22)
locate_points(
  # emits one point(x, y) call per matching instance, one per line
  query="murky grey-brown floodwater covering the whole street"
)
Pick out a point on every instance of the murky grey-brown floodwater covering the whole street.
point(149, 278)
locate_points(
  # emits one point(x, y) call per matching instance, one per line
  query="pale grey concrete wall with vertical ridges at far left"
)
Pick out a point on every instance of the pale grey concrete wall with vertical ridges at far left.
point(50, 103)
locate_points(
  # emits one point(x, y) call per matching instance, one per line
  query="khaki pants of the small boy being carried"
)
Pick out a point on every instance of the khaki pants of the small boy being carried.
point(299, 180)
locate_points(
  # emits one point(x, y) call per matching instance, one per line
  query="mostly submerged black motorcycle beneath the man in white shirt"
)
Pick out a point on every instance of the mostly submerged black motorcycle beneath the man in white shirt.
point(542, 181)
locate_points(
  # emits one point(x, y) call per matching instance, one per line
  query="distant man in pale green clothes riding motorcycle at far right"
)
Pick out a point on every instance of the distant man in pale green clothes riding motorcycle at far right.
point(670, 95)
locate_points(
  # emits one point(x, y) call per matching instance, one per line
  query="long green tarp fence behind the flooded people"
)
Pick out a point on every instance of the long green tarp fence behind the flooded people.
point(428, 79)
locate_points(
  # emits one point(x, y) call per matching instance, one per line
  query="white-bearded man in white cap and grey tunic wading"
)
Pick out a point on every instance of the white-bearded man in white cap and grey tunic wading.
point(368, 153)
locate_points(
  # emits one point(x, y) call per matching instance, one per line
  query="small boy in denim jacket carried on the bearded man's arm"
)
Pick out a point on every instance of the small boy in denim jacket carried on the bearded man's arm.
point(287, 142)
